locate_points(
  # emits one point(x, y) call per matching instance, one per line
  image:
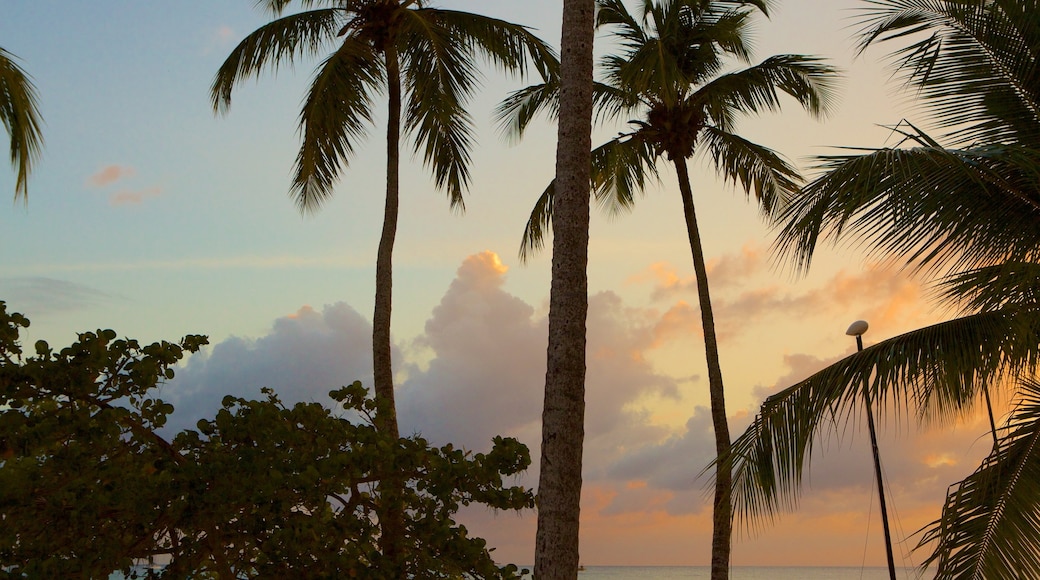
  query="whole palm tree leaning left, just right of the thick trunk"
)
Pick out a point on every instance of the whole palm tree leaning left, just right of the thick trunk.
point(670, 76)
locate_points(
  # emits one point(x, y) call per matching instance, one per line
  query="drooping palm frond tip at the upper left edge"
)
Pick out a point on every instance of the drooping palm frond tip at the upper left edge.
point(21, 118)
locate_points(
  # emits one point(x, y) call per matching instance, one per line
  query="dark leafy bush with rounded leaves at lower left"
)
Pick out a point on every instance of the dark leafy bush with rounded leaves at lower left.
point(90, 486)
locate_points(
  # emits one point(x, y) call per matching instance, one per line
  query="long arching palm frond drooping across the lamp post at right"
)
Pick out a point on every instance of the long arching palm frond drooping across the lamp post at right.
point(938, 372)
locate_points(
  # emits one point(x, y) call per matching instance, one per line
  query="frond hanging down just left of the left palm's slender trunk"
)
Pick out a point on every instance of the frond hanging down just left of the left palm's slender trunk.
point(334, 117)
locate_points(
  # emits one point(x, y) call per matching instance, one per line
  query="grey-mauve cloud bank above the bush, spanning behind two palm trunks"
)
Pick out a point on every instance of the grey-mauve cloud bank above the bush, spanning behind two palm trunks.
point(477, 372)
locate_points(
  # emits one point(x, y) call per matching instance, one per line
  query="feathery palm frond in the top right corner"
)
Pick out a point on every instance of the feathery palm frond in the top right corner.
point(976, 68)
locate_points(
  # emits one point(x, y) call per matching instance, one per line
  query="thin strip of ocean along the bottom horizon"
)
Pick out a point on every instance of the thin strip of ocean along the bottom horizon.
point(745, 573)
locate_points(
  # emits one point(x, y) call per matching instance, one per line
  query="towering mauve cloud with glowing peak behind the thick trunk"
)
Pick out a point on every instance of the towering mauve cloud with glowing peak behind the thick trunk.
point(488, 368)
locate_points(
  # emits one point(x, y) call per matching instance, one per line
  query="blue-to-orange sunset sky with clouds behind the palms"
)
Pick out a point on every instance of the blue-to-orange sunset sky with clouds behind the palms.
point(151, 216)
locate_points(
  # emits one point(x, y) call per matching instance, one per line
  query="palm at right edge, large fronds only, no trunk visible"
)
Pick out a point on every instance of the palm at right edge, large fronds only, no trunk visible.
point(967, 215)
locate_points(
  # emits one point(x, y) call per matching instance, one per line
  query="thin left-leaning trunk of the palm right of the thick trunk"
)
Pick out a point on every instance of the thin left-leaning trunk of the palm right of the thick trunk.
point(723, 512)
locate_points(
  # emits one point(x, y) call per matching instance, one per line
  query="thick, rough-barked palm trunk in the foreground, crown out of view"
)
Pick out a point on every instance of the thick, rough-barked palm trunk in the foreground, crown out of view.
point(563, 415)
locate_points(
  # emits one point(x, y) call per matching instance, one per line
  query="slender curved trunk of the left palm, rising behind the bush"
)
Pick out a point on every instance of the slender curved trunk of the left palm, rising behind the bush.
point(393, 519)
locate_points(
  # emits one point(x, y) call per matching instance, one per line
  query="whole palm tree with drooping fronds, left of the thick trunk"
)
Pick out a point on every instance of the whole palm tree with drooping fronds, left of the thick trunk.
point(425, 60)
